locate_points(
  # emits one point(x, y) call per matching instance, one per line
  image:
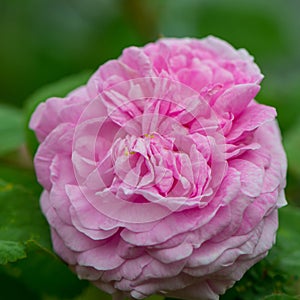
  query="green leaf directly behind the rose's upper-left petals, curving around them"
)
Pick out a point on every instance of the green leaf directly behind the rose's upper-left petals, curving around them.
point(57, 89)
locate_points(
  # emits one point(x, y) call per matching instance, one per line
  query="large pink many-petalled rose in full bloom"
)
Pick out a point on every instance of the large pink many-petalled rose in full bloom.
point(163, 175)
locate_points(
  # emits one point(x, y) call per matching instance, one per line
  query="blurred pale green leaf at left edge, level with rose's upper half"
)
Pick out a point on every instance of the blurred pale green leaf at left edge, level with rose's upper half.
point(11, 130)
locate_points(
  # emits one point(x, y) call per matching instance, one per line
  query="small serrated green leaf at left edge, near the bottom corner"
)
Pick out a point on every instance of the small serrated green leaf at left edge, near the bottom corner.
point(11, 251)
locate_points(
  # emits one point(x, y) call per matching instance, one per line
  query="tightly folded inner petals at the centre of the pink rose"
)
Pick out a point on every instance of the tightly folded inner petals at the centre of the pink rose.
point(152, 164)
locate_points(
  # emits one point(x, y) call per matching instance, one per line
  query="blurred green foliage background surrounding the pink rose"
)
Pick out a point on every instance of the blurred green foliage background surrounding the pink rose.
point(42, 41)
